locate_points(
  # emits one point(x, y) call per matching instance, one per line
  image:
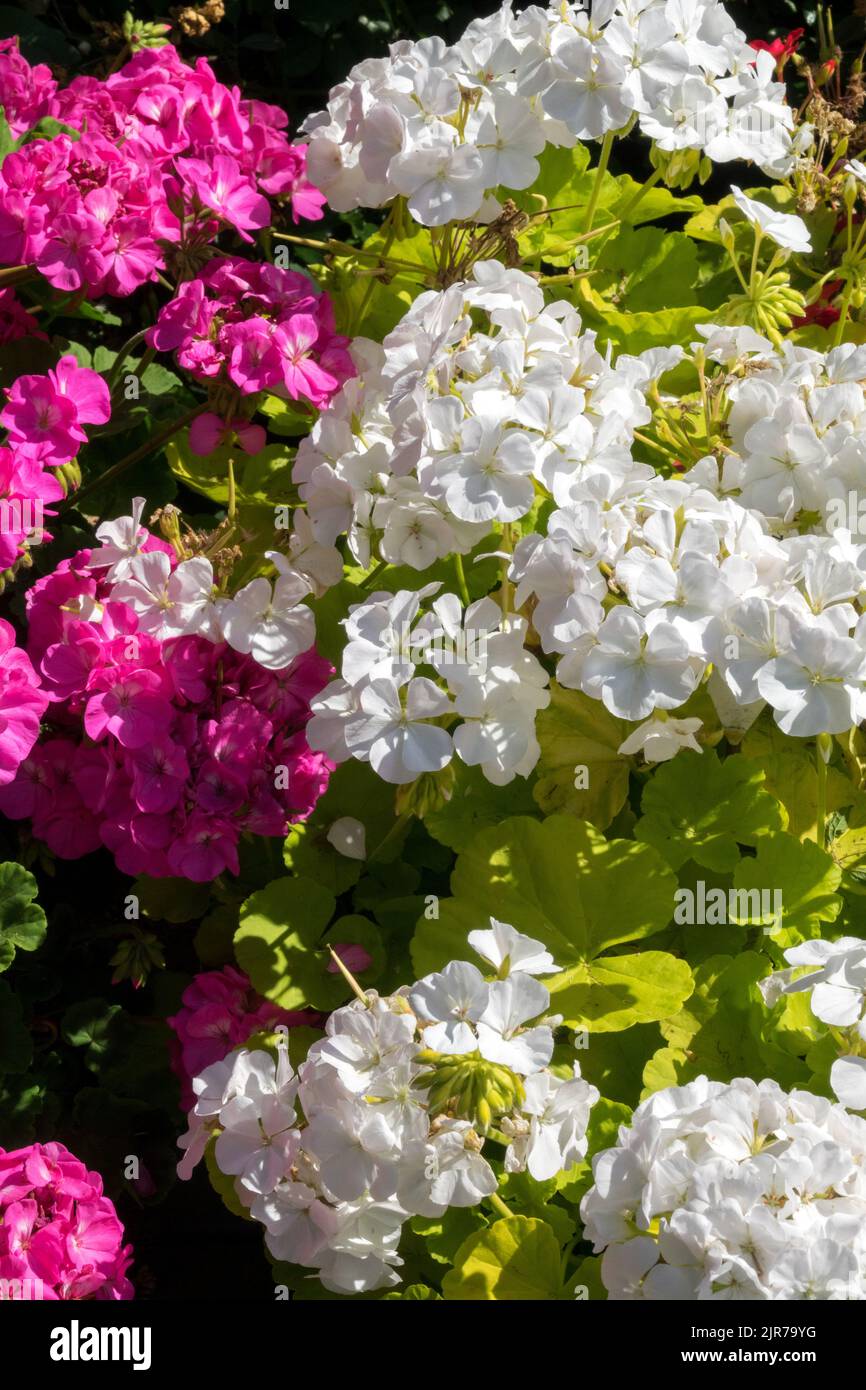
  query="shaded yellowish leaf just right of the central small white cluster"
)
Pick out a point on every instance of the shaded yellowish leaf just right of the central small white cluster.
point(578, 733)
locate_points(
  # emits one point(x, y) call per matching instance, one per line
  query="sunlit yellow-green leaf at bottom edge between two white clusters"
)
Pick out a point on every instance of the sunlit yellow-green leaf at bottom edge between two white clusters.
point(516, 1259)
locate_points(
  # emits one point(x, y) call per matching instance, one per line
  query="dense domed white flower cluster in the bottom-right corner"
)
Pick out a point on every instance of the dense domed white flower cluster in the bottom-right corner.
point(733, 1192)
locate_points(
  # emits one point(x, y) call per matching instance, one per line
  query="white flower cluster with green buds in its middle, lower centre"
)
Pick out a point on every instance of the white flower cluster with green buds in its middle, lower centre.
point(391, 1113)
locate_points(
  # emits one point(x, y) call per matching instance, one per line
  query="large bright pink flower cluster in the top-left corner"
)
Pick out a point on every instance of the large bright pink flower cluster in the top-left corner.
point(165, 155)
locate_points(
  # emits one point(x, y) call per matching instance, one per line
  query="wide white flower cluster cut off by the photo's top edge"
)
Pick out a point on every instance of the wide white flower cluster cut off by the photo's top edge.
point(447, 126)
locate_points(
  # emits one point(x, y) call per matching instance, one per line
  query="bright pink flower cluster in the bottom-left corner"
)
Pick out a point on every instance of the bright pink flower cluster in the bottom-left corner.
point(58, 1229)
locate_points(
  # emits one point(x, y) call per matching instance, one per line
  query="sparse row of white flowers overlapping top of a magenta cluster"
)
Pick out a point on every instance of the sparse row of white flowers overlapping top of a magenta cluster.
point(268, 622)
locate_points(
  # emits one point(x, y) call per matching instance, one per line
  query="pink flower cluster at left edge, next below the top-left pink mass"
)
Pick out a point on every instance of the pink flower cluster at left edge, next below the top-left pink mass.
point(45, 418)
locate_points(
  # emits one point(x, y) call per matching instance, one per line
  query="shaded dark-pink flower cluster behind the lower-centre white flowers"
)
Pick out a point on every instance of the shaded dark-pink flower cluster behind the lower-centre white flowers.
point(220, 1011)
